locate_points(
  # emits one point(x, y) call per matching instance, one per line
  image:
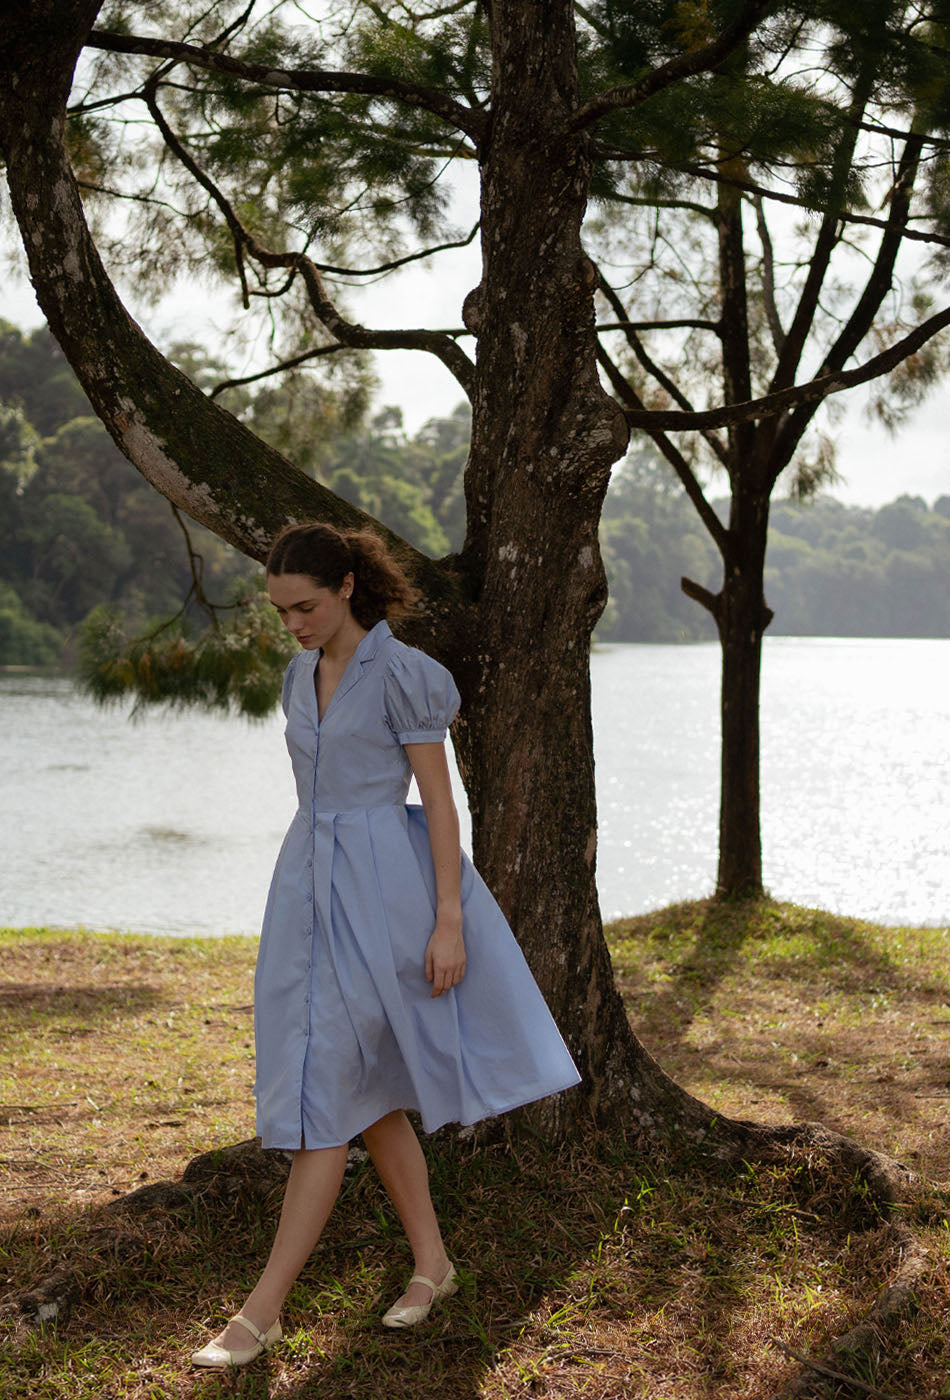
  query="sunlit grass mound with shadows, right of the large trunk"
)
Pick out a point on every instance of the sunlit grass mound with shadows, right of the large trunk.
point(818, 1017)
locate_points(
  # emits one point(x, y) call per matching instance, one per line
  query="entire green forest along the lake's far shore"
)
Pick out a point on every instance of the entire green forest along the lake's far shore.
point(82, 527)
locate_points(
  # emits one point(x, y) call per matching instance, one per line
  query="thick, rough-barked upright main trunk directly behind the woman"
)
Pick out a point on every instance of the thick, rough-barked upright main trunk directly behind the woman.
point(545, 437)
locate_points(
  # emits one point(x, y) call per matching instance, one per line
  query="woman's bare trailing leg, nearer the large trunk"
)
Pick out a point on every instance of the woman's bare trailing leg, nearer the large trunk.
point(399, 1160)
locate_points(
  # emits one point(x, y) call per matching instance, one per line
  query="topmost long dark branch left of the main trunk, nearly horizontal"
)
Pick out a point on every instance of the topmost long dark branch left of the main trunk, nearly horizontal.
point(299, 80)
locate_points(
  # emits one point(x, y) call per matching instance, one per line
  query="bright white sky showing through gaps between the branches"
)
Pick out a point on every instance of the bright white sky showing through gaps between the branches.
point(874, 465)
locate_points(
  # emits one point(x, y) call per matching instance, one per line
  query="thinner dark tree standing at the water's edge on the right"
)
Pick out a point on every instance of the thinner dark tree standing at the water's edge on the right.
point(728, 293)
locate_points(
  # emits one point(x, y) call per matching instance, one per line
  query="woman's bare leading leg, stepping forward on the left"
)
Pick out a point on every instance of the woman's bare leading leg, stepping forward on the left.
point(313, 1188)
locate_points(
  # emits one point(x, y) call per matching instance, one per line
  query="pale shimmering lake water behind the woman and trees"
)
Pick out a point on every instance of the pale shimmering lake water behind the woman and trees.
point(171, 824)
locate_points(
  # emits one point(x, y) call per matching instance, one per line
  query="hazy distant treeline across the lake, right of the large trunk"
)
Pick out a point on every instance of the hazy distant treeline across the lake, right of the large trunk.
point(832, 570)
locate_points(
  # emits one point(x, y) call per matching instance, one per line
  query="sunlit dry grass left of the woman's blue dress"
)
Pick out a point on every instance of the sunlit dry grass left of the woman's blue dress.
point(122, 1059)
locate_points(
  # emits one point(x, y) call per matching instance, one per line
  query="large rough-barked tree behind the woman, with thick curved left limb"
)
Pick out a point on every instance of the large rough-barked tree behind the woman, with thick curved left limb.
point(513, 612)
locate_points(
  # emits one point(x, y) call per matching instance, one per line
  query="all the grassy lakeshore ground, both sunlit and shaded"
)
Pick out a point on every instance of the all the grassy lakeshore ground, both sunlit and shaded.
point(588, 1272)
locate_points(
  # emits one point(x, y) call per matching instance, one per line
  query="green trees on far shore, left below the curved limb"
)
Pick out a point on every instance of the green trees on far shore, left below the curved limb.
point(80, 526)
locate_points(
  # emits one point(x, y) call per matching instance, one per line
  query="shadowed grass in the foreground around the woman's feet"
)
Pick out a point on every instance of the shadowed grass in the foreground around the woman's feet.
point(590, 1262)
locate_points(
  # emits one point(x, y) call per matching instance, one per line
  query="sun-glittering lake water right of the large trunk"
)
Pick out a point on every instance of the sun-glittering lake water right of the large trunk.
point(856, 775)
